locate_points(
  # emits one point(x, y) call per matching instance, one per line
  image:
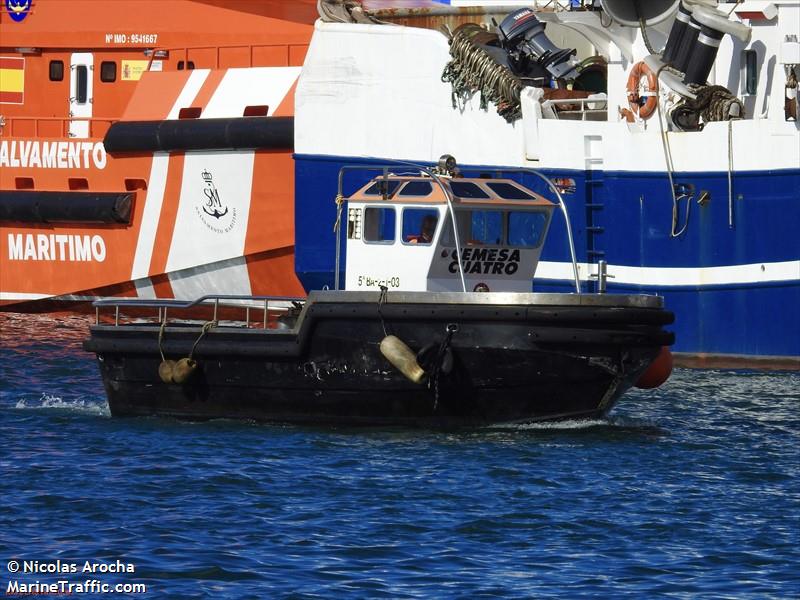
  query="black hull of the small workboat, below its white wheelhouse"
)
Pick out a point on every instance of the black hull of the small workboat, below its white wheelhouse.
point(510, 364)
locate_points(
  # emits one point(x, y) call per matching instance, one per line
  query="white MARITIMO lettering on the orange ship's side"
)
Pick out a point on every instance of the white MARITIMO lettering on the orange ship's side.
point(56, 247)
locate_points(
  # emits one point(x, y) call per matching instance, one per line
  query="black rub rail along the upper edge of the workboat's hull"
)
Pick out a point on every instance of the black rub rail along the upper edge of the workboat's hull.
point(556, 323)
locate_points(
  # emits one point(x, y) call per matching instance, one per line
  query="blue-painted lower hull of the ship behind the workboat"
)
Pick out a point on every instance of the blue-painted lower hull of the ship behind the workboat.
point(626, 219)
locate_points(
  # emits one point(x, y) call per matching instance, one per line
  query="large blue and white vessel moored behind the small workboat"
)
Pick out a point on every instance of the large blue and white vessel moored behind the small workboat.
point(680, 161)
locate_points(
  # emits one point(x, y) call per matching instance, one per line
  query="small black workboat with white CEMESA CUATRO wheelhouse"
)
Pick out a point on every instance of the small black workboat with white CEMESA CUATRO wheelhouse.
point(436, 326)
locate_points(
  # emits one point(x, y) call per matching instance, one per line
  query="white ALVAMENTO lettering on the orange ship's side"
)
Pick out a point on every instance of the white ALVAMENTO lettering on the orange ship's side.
point(52, 155)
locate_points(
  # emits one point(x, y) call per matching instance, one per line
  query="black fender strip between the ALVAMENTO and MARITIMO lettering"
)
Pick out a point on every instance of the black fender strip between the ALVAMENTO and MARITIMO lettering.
point(29, 206)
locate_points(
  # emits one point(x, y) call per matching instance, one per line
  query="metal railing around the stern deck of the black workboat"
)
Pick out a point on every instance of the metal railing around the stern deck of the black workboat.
point(229, 305)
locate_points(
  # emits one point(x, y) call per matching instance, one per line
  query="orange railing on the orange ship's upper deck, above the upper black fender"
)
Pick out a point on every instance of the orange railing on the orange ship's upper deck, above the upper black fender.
point(230, 56)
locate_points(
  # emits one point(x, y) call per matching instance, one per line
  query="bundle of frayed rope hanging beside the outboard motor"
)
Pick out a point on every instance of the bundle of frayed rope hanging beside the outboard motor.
point(472, 70)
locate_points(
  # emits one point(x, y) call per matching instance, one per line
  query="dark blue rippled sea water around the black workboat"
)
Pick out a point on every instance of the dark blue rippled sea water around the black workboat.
point(689, 491)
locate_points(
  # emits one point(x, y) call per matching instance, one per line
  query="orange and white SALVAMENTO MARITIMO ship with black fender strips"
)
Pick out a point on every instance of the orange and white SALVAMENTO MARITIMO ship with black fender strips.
point(192, 191)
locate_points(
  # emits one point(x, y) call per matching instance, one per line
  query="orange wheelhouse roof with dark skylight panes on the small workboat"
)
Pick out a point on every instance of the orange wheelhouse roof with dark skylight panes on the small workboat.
point(394, 185)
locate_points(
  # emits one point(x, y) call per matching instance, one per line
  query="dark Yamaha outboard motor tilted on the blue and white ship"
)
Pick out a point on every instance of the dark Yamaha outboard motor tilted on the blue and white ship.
point(522, 36)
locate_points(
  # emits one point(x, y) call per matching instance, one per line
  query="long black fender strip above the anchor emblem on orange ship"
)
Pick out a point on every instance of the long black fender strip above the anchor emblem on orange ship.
point(260, 133)
